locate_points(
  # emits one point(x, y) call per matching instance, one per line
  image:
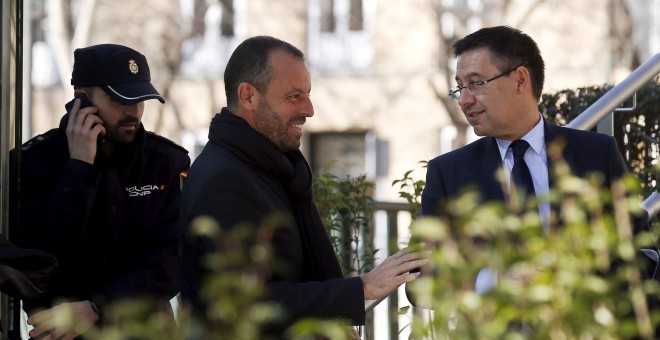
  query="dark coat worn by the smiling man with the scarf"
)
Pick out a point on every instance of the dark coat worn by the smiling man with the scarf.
point(236, 189)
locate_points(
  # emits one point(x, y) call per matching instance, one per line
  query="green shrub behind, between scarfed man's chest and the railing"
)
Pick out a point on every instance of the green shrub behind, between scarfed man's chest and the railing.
point(345, 206)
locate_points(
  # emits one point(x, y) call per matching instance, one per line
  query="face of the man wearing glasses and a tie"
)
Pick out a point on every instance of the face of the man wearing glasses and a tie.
point(505, 108)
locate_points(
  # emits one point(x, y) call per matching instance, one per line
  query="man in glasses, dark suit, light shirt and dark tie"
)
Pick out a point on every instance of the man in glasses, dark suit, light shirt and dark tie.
point(500, 75)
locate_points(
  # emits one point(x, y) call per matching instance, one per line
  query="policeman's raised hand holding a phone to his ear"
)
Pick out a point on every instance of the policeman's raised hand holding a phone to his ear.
point(82, 131)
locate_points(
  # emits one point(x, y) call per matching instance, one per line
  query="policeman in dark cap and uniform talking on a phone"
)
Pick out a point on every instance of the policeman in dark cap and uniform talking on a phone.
point(102, 195)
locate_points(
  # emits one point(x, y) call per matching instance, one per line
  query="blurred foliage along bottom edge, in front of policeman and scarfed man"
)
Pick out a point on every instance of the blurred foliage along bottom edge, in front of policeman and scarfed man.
point(234, 290)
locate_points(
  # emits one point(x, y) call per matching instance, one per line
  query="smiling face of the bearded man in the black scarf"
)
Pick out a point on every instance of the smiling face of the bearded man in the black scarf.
point(280, 113)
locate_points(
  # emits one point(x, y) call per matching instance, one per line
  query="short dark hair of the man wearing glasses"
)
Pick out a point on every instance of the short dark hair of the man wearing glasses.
point(509, 47)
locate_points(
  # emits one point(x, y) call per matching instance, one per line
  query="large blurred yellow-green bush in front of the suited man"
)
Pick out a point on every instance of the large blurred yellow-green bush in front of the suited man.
point(579, 281)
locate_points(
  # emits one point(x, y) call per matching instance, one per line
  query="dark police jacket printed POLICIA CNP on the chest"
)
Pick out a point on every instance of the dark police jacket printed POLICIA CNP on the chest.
point(113, 225)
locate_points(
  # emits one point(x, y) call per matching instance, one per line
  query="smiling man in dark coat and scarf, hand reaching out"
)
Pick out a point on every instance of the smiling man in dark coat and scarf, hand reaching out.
point(251, 173)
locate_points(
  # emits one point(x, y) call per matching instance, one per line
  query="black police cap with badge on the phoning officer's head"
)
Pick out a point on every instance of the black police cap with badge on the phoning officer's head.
point(122, 72)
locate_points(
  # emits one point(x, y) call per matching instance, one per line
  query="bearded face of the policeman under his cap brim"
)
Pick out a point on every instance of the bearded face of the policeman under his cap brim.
point(121, 122)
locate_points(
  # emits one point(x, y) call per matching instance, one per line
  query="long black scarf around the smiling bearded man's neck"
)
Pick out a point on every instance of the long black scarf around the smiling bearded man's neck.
point(292, 170)
